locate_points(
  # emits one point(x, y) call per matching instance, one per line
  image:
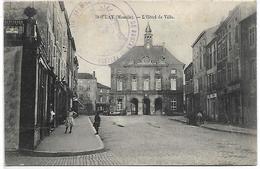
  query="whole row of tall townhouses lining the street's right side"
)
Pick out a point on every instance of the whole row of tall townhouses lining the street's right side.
point(221, 80)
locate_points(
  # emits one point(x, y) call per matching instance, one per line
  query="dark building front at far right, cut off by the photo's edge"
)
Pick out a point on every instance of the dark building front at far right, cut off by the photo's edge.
point(248, 70)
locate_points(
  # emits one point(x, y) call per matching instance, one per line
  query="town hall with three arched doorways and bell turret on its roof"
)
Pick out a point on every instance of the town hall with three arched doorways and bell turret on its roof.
point(147, 80)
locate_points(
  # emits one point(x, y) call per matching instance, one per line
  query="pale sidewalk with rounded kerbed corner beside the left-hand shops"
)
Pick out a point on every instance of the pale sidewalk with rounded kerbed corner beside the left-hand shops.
point(81, 141)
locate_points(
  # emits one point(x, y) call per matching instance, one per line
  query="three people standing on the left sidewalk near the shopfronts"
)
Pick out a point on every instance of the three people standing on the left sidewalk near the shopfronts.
point(69, 122)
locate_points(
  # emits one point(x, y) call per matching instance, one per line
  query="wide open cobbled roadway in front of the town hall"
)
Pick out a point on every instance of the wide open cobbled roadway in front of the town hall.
point(156, 140)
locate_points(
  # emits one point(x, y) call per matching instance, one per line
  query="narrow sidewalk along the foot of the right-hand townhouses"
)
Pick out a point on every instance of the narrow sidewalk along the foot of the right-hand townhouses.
point(219, 127)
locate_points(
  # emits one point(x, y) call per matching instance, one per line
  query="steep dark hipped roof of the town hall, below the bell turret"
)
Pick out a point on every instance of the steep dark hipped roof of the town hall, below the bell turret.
point(156, 54)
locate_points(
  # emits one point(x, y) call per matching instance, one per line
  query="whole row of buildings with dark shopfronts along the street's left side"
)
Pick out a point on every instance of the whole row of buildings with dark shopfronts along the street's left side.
point(40, 69)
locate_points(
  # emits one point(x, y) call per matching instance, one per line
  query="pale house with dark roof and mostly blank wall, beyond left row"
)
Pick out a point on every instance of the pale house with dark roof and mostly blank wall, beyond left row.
point(87, 93)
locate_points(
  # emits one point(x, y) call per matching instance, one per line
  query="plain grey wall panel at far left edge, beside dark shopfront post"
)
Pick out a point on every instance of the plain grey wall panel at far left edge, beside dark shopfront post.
point(12, 83)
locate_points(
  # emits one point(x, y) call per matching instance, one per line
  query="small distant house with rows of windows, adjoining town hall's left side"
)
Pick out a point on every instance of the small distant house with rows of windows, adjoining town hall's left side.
point(103, 98)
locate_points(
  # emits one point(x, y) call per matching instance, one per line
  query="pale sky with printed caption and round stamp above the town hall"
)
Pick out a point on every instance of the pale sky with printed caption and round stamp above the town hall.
point(97, 38)
